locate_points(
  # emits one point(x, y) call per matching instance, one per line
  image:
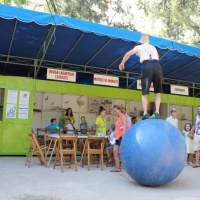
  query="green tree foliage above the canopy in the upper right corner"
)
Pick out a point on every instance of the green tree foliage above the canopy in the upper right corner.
point(180, 18)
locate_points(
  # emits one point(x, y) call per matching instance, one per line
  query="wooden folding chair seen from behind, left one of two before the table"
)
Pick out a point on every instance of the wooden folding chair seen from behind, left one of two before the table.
point(63, 150)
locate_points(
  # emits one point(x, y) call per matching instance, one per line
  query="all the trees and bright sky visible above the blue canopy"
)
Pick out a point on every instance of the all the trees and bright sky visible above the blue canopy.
point(174, 19)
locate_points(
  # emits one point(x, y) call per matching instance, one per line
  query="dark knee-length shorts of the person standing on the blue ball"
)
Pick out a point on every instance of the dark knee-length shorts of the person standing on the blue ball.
point(152, 72)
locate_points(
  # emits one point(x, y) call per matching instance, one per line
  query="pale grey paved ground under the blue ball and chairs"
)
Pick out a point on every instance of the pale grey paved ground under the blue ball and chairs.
point(18, 182)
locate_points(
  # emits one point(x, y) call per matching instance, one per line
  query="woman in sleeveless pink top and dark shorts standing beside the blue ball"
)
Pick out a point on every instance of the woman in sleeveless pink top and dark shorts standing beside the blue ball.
point(120, 130)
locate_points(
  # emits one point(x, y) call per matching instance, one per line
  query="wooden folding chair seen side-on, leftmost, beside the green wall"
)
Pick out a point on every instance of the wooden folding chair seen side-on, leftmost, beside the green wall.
point(35, 147)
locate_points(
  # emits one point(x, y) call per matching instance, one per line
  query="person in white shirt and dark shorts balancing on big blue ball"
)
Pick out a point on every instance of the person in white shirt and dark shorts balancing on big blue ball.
point(152, 72)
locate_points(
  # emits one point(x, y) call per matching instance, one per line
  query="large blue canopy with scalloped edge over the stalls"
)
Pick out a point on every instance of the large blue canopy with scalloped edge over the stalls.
point(33, 41)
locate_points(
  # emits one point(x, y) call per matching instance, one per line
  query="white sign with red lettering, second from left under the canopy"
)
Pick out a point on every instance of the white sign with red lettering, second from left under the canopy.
point(106, 80)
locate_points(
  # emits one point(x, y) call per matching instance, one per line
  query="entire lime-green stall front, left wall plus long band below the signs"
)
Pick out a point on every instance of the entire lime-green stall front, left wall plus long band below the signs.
point(13, 132)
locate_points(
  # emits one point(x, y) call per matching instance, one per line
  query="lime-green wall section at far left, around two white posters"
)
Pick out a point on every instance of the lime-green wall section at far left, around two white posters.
point(13, 132)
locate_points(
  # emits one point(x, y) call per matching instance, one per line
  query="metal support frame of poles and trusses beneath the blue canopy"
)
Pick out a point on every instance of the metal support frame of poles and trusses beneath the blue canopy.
point(35, 64)
